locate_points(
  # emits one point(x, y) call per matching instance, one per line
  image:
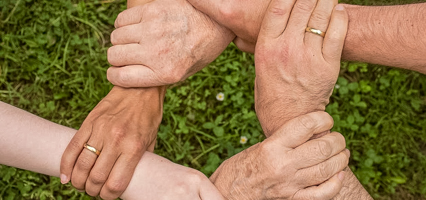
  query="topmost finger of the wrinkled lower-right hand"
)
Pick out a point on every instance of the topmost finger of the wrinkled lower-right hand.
point(298, 130)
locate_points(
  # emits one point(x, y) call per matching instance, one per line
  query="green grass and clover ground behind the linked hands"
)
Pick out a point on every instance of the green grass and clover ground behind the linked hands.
point(53, 63)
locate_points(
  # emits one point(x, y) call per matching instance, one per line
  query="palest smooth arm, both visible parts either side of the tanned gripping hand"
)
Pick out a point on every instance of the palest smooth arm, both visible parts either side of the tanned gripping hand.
point(32, 143)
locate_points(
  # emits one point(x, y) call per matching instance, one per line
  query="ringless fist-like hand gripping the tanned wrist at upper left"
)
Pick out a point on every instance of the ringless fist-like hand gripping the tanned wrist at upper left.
point(161, 43)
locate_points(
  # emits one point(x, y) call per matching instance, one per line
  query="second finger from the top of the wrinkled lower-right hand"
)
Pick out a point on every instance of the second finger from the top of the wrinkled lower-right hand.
point(318, 150)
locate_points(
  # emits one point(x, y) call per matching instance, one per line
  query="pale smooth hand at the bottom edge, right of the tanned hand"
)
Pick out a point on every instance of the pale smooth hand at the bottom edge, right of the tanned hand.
point(157, 178)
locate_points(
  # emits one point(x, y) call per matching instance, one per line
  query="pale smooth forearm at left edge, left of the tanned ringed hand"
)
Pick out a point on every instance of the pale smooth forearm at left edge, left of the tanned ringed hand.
point(31, 143)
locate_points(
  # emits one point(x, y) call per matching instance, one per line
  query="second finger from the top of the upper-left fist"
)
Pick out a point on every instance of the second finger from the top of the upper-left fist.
point(127, 34)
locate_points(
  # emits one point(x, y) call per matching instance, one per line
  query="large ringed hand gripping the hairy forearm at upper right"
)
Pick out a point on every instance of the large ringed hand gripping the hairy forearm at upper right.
point(296, 70)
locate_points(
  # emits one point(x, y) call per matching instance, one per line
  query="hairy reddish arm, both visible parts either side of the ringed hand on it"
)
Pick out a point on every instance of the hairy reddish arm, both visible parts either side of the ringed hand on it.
point(386, 35)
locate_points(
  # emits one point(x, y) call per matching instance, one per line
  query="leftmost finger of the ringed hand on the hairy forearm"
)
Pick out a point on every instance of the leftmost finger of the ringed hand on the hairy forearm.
point(276, 17)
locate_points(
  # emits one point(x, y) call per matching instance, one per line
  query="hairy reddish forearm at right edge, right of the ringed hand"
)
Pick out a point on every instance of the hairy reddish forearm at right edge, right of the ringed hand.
point(387, 35)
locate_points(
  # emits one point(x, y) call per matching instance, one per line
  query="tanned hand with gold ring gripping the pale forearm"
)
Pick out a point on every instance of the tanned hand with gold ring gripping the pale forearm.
point(122, 127)
